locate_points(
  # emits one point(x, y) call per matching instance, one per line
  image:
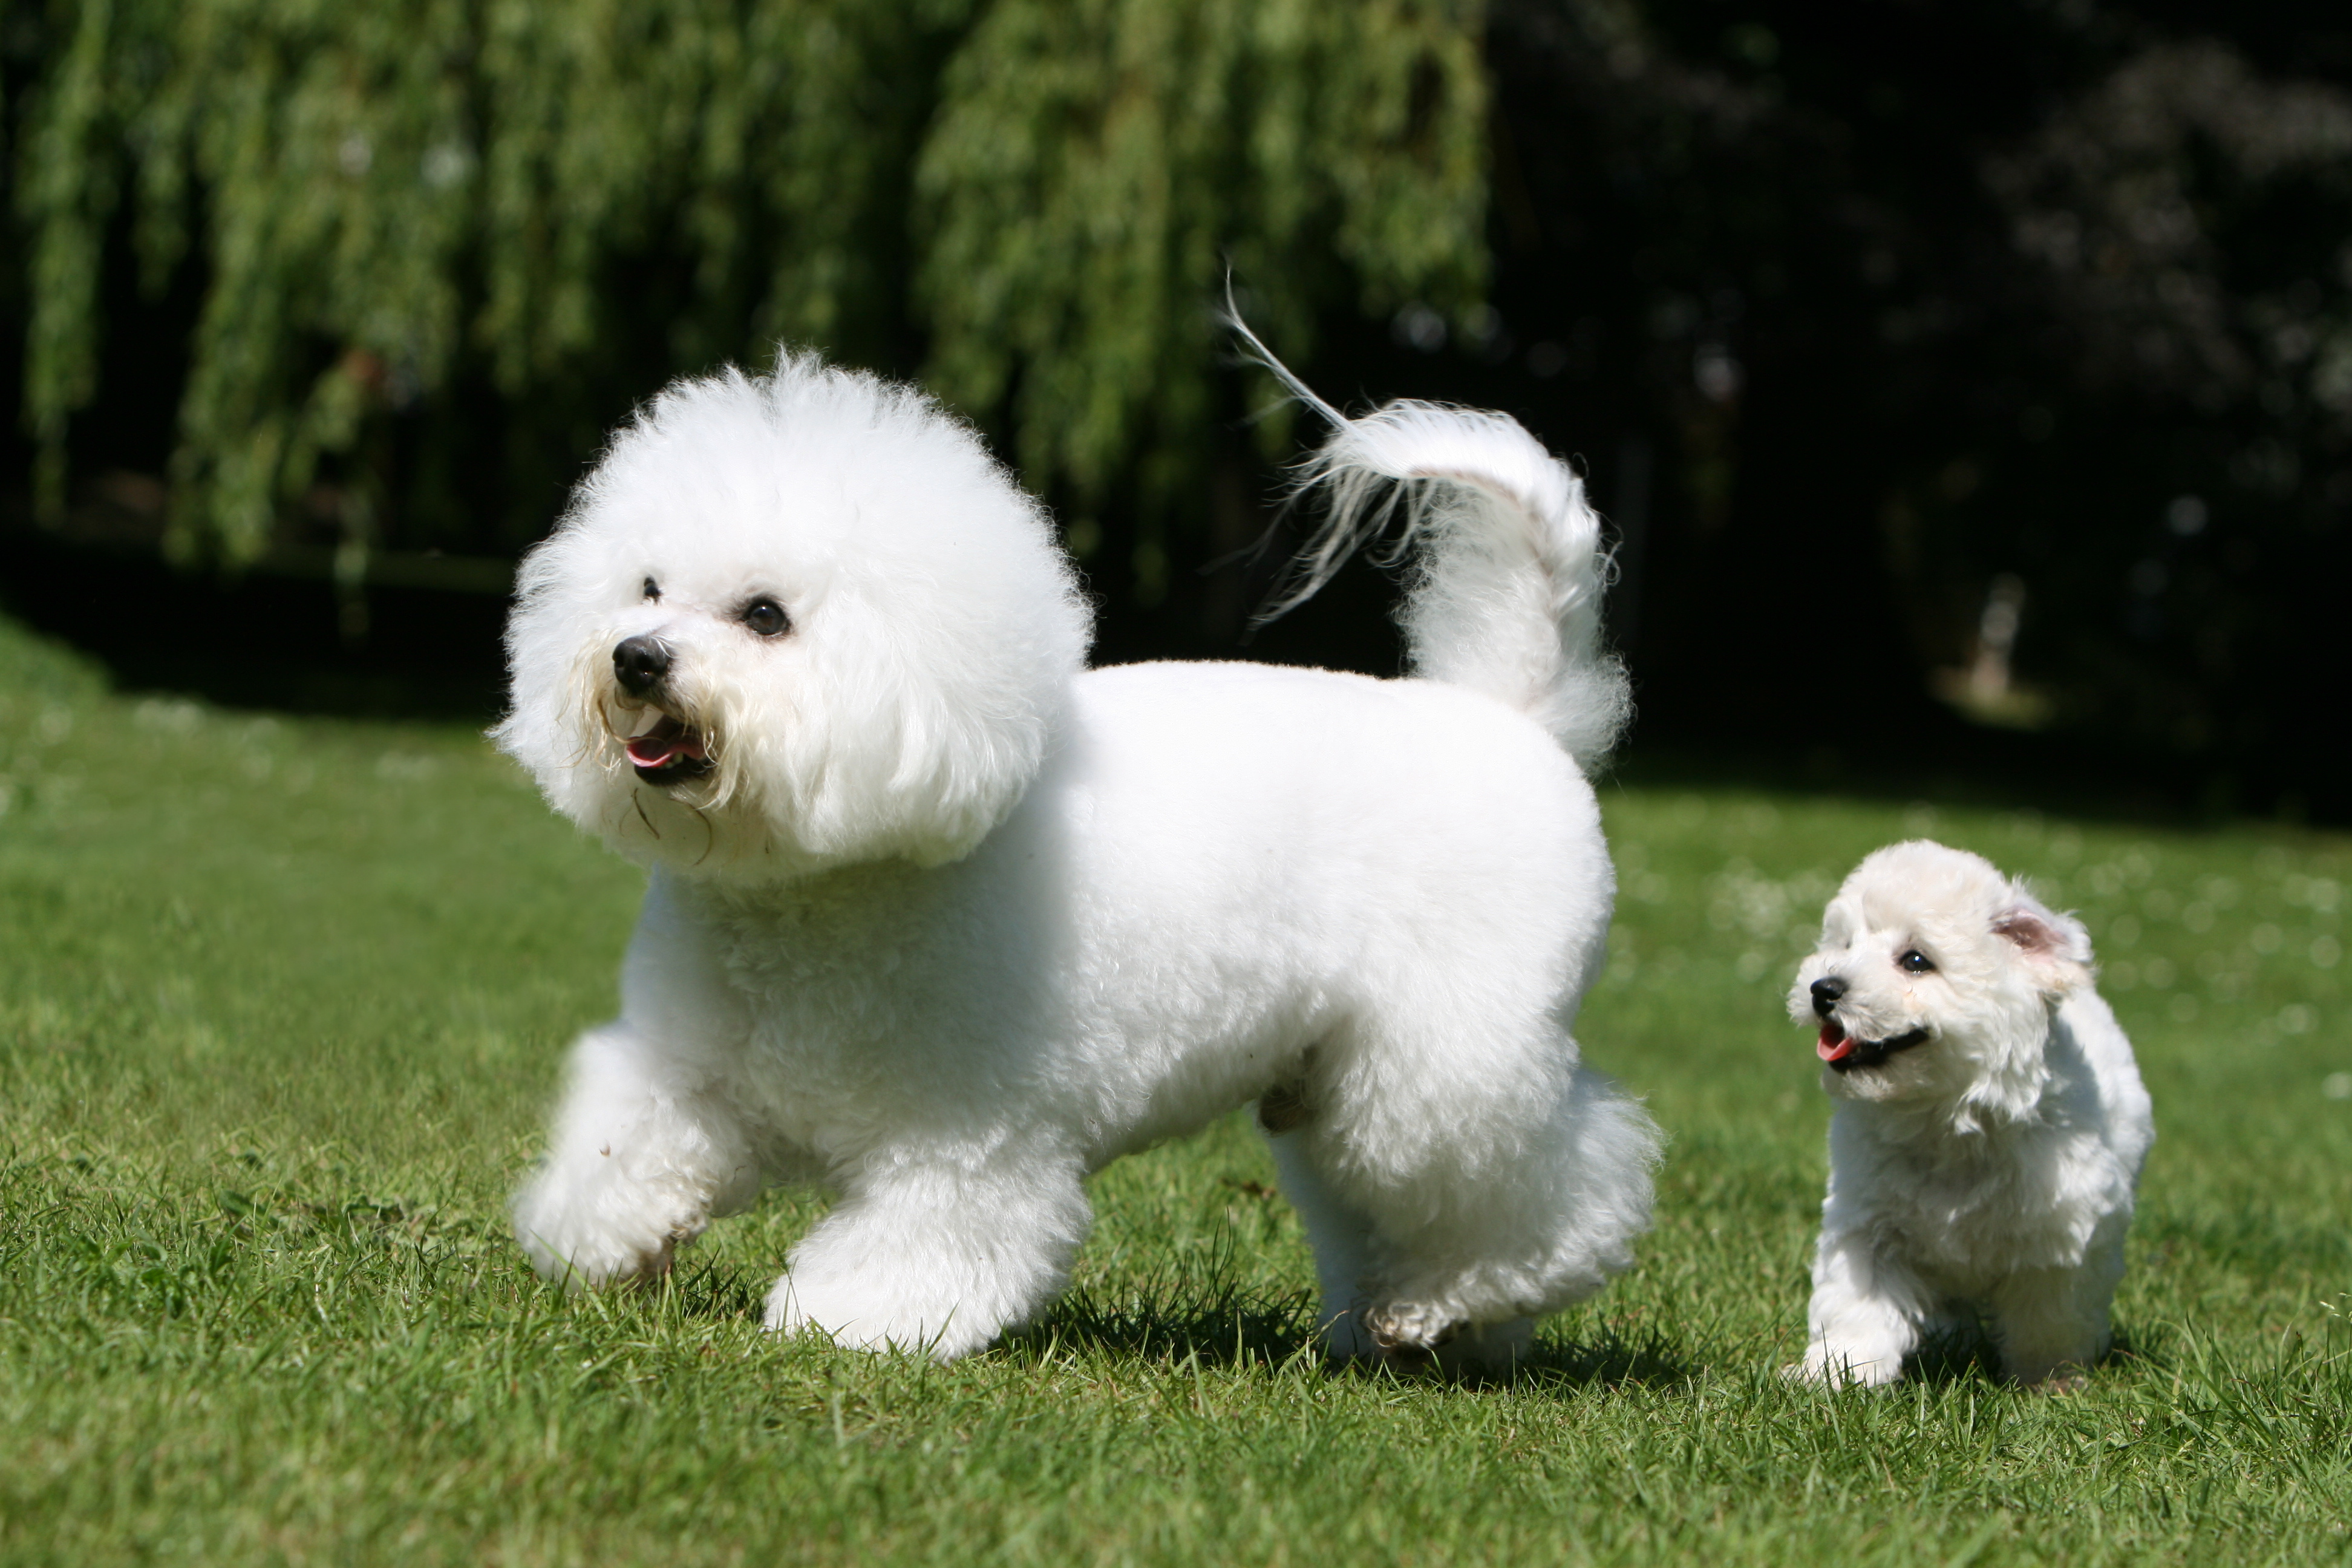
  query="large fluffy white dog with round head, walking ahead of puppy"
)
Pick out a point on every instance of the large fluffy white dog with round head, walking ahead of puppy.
point(942, 920)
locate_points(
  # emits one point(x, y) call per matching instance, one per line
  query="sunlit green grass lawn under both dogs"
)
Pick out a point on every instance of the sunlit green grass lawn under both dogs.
point(286, 1003)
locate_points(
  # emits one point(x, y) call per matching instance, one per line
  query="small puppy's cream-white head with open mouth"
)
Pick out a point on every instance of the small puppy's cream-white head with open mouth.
point(1937, 979)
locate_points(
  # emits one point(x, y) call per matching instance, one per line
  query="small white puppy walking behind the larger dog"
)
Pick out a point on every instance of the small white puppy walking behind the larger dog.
point(1989, 1130)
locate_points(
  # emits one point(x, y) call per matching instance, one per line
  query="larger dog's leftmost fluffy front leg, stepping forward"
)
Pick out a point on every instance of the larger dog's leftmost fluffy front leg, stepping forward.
point(639, 1162)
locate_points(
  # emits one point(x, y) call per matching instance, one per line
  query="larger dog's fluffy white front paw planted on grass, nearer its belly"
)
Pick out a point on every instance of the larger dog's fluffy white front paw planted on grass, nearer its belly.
point(937, 1254)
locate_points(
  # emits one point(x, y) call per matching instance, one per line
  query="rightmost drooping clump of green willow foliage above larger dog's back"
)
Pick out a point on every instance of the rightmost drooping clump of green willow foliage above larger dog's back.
point(1097, 161)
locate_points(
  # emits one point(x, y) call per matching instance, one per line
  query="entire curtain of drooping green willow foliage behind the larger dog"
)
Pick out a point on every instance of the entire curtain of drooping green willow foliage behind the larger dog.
point(434, 241)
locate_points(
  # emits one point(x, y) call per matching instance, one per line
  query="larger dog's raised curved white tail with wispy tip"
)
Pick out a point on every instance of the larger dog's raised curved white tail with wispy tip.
point(1509, 561)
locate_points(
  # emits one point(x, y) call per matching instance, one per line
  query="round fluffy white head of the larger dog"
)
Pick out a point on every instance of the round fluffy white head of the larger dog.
point(791, 622)
